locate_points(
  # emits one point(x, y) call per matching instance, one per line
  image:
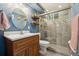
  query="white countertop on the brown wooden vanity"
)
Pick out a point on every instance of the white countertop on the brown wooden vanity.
point(17, 35)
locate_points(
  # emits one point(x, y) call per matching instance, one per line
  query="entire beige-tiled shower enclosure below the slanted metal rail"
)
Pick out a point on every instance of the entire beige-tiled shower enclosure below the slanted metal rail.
point(56, 28)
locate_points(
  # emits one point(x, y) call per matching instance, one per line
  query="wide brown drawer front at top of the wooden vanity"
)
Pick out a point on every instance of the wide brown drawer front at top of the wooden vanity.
point(25, 42)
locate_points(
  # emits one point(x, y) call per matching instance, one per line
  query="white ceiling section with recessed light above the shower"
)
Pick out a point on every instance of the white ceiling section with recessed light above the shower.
point(55, 6)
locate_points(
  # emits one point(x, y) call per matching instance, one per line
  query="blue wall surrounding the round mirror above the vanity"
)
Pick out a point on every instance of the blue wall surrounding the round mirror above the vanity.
point(8, 8)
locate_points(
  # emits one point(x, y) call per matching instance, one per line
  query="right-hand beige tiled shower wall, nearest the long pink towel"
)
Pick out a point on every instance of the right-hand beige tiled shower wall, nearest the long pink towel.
point(63, 26)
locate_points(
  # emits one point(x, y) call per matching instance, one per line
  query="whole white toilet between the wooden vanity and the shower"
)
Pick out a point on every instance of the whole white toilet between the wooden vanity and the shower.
point(43, 47)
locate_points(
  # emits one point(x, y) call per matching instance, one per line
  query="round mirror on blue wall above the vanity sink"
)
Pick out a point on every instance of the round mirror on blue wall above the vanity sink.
point(19, 18)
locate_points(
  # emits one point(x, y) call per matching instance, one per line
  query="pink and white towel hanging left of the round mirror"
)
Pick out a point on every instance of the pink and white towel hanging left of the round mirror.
point(4, 23)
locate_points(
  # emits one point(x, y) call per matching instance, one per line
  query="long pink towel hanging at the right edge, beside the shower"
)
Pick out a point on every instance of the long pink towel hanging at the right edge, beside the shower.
point(74, 34)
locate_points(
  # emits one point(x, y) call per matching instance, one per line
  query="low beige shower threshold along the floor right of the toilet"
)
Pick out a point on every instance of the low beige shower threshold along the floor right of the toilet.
point(65, 51)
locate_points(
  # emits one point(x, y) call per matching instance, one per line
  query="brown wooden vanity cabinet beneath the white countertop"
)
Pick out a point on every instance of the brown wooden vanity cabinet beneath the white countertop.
point(28, 46)
